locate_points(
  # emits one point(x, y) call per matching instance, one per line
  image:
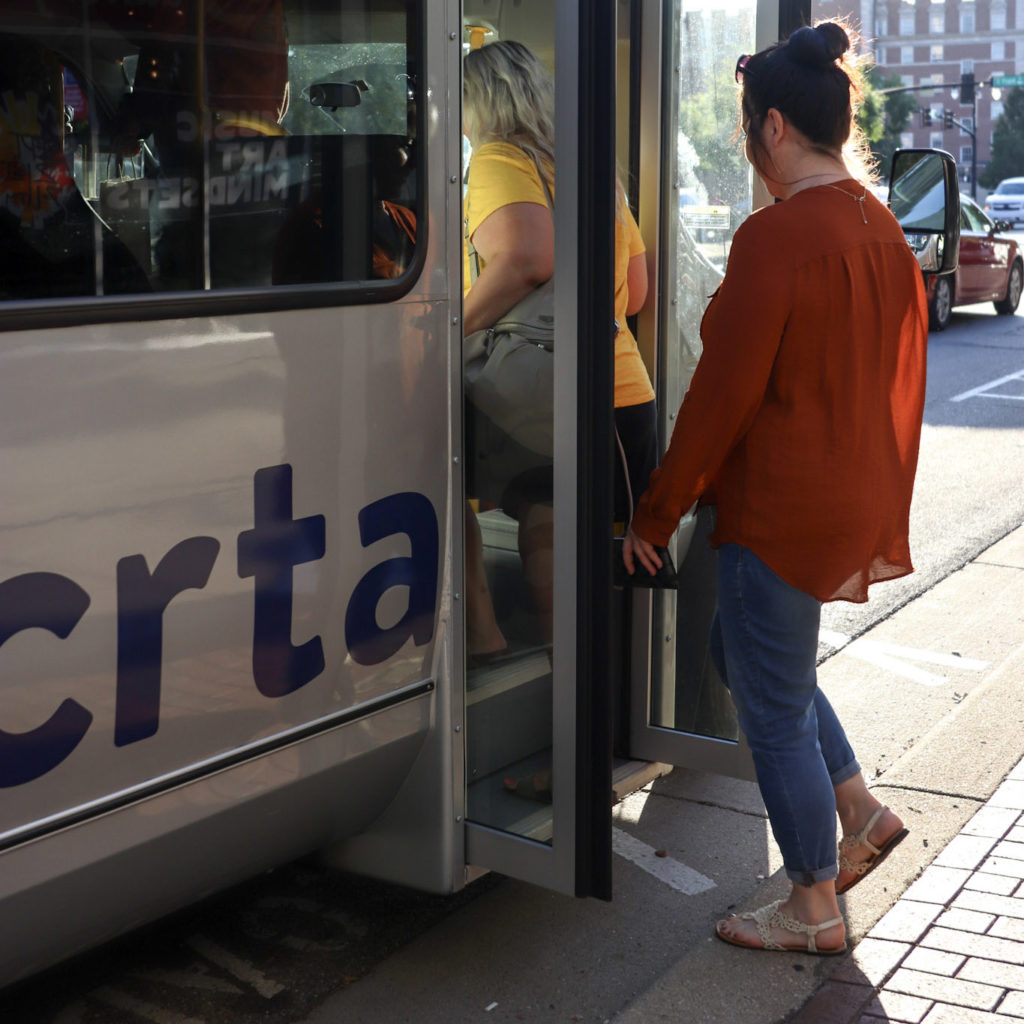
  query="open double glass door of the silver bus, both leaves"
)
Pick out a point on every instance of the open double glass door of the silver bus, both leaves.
point(547, 699)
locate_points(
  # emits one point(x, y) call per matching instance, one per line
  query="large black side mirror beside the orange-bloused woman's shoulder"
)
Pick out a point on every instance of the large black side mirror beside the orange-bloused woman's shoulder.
point(924, 196)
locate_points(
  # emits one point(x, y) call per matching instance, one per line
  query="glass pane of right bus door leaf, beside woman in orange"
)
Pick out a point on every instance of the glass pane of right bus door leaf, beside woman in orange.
point(709, 196)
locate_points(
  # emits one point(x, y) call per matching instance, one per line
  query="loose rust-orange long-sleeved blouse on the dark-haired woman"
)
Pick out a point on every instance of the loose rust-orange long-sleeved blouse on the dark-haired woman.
point(803, 418)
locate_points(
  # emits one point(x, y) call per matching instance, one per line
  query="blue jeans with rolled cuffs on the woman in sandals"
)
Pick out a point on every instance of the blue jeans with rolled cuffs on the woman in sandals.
point(764, 643)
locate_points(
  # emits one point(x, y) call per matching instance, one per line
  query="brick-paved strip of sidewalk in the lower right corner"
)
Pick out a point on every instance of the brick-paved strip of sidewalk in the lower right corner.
point(952, 951)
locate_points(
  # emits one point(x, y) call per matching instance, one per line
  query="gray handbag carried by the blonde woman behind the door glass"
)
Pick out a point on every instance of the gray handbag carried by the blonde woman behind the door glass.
point(509, 369)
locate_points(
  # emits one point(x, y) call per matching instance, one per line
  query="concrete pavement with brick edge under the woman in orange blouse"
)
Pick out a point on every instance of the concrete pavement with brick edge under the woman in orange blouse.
point(933, 700)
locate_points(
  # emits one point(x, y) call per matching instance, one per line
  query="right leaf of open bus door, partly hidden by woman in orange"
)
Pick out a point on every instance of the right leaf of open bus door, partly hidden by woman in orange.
point(695, 189)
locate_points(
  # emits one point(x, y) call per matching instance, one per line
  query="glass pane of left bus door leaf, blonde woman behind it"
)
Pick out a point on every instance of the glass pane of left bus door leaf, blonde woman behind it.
point(509, 510)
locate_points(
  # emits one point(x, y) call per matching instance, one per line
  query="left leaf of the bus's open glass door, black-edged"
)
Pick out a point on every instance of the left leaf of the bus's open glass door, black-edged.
point(538, 558)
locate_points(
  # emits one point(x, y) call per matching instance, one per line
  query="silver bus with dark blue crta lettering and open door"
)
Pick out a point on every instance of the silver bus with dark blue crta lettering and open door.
point(233, 556)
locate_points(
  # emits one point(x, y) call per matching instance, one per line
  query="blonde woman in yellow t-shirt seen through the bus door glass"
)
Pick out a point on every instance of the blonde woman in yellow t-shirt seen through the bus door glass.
point(508, 116)
